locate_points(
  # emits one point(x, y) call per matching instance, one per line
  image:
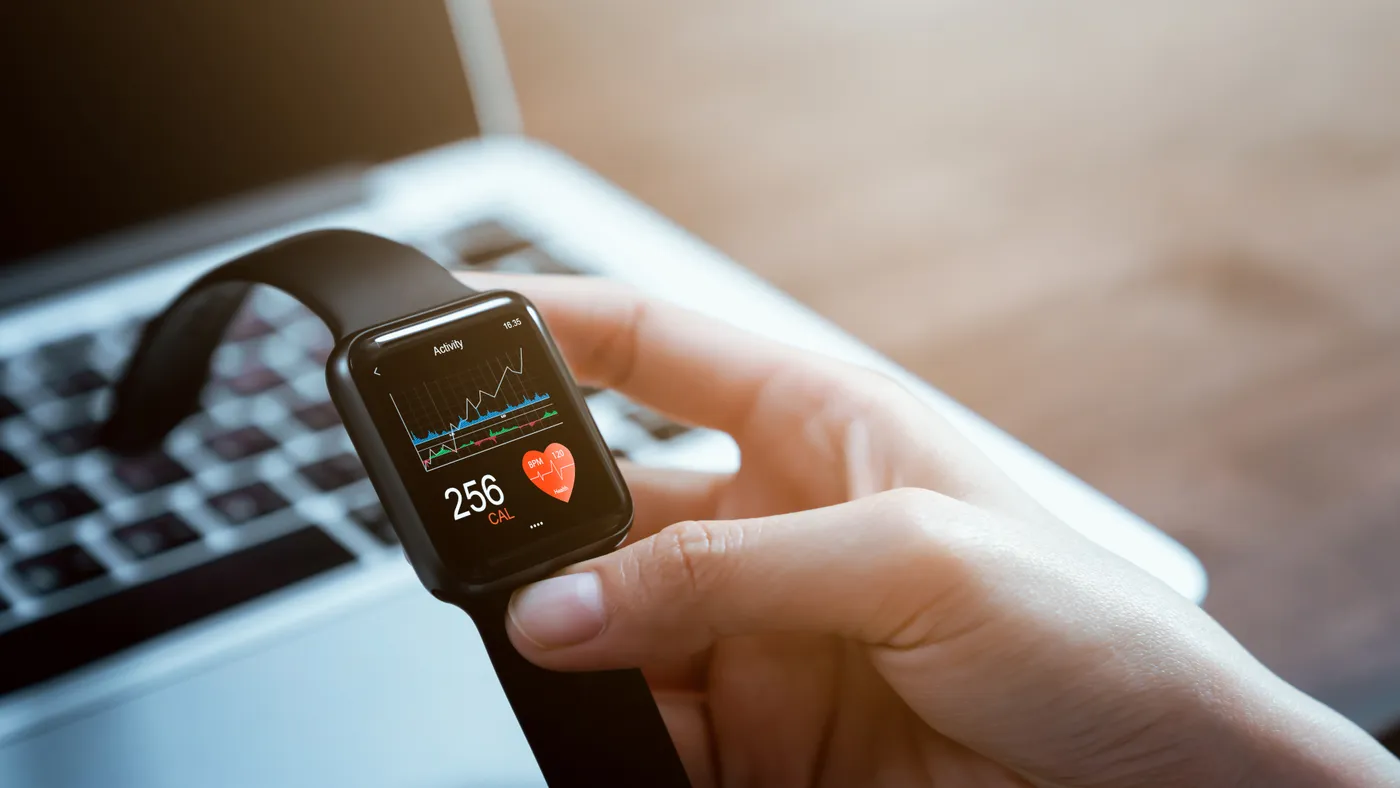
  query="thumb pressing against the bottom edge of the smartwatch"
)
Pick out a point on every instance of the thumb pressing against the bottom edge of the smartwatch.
point(873, 570)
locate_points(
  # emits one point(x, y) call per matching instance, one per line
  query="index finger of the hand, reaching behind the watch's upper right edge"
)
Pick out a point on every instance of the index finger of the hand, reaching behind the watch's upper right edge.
point(678, 362)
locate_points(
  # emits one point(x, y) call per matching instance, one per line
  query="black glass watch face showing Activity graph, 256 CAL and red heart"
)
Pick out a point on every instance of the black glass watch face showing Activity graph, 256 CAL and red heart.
point(491, 437)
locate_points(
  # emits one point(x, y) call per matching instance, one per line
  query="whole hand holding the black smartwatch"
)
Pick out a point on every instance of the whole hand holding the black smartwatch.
point(871, 601)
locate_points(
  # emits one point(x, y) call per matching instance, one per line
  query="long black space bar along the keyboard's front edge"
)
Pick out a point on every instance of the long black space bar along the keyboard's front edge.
point(72, 639)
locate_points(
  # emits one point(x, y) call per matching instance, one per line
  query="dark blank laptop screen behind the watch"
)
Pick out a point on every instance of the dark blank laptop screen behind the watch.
point(118, 114)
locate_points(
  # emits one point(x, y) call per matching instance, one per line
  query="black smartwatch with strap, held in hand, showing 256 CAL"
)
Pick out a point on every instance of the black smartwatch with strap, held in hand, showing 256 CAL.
point(478, 443)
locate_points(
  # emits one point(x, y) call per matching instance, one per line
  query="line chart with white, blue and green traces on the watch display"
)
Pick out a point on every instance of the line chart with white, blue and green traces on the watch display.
point(474, 409)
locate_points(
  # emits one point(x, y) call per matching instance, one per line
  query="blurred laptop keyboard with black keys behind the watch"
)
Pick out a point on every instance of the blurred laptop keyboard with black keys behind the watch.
point(255, 493)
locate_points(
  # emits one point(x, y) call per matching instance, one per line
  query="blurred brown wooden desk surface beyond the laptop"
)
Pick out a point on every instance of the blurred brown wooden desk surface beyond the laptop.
point(1158, 244)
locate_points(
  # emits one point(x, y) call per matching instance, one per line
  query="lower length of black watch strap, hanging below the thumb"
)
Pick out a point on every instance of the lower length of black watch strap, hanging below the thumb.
point(600, 729)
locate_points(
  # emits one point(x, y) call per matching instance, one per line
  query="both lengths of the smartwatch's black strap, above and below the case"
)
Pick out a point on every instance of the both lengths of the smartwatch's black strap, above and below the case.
point(584, 729)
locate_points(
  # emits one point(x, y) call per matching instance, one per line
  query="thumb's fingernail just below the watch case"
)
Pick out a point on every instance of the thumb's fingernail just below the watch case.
point(561, 611)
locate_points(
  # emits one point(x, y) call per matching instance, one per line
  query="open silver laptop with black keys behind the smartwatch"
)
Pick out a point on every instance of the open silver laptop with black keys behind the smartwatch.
point(233, 610)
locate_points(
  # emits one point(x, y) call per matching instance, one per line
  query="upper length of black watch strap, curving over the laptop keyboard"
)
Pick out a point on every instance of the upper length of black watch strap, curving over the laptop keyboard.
point(352, 281)
